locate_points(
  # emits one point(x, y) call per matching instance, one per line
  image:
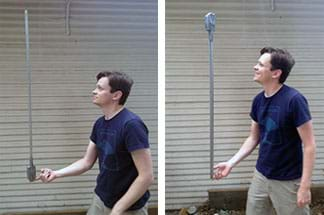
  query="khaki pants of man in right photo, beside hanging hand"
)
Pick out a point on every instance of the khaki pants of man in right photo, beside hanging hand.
point(265, 194)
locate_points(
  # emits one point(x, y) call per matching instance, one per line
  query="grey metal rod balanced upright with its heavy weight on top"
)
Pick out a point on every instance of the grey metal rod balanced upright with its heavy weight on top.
point(210, 21)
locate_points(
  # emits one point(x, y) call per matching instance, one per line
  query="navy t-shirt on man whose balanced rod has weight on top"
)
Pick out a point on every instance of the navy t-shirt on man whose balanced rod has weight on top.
point(278, 116)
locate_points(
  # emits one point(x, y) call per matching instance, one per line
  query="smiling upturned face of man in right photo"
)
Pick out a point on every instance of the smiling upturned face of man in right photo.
point(262, 70)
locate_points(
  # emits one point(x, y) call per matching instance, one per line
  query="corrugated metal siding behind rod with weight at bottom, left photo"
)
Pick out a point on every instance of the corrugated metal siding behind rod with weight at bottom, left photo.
point(104, 35)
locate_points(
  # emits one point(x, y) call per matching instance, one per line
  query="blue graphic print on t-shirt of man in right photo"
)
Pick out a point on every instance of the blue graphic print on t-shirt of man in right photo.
point(270, 125)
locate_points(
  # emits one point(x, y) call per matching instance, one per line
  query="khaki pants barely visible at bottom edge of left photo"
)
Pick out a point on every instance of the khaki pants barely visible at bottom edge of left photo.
point(98, 208)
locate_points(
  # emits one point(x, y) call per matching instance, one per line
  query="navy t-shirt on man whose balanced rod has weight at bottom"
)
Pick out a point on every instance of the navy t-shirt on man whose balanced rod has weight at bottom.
point(115, 139)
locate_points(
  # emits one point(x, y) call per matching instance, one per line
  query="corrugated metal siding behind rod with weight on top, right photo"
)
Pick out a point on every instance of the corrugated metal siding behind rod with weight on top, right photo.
point(242, 28)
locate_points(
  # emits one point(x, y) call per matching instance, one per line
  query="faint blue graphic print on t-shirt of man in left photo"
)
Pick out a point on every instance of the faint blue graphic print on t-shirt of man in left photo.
point(108, 147)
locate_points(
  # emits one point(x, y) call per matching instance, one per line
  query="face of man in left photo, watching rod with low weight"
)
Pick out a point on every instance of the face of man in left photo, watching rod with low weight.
point(101, 94)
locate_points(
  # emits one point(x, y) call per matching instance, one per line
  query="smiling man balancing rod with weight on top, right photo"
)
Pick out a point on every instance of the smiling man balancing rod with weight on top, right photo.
point(282, 126)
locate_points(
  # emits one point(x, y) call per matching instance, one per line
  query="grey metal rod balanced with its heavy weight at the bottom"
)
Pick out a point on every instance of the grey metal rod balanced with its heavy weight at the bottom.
point(31, 169)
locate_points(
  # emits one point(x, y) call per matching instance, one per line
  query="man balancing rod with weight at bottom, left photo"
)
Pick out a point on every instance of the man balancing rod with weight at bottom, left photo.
point(120, 140)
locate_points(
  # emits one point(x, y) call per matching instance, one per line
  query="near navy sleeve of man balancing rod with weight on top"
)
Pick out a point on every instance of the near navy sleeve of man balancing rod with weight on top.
point(300, 110)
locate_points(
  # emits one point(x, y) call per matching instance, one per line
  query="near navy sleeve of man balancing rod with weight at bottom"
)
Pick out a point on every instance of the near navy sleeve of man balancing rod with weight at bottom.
point(136, 135)
